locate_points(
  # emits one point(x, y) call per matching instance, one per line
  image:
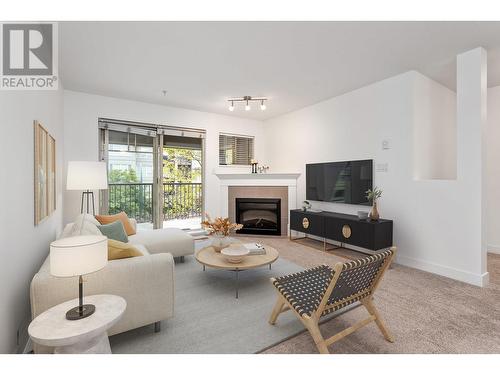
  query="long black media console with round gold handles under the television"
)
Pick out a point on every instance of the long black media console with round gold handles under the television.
point(343, 228)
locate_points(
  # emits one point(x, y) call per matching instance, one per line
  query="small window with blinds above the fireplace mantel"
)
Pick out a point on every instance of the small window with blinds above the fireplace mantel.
point(235, 149)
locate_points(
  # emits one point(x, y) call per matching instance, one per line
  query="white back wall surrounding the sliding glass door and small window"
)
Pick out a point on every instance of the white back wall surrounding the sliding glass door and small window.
point(81, 112)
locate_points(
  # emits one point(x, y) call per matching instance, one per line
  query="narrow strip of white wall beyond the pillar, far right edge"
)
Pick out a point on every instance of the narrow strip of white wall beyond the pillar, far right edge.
point(493, 170)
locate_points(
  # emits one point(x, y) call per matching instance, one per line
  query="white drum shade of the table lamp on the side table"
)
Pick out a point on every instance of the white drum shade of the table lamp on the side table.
point(78, 255)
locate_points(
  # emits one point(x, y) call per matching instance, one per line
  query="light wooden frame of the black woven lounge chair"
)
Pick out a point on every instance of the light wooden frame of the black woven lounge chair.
point(312, 322)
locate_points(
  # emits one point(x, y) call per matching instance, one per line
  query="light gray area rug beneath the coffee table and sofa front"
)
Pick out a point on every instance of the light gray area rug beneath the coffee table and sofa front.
point(209, 319)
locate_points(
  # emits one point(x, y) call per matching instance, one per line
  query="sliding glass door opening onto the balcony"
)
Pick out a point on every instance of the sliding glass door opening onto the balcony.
point(154, 175)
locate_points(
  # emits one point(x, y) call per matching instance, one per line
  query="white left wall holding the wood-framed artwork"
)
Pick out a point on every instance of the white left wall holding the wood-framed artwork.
point(24, 246)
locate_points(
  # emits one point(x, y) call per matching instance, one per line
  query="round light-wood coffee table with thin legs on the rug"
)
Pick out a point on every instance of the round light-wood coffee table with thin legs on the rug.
point(208, 257)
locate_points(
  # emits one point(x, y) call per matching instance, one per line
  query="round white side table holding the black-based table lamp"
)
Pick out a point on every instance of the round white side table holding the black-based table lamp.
point(86, 336)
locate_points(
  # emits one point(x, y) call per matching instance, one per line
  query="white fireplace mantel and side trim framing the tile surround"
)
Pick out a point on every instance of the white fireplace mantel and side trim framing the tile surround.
point(257, 179)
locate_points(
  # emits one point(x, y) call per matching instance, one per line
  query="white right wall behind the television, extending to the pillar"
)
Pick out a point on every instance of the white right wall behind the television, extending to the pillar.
point(432, 224)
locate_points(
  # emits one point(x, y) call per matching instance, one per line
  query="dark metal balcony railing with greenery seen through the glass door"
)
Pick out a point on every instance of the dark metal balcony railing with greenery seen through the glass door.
point(181, 200)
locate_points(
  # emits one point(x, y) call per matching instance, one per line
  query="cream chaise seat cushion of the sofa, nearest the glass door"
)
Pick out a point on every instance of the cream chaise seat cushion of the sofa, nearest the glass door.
point(167, 240)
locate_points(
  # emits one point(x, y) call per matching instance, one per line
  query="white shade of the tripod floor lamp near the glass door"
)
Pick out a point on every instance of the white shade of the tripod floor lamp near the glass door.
point(86, 175)
